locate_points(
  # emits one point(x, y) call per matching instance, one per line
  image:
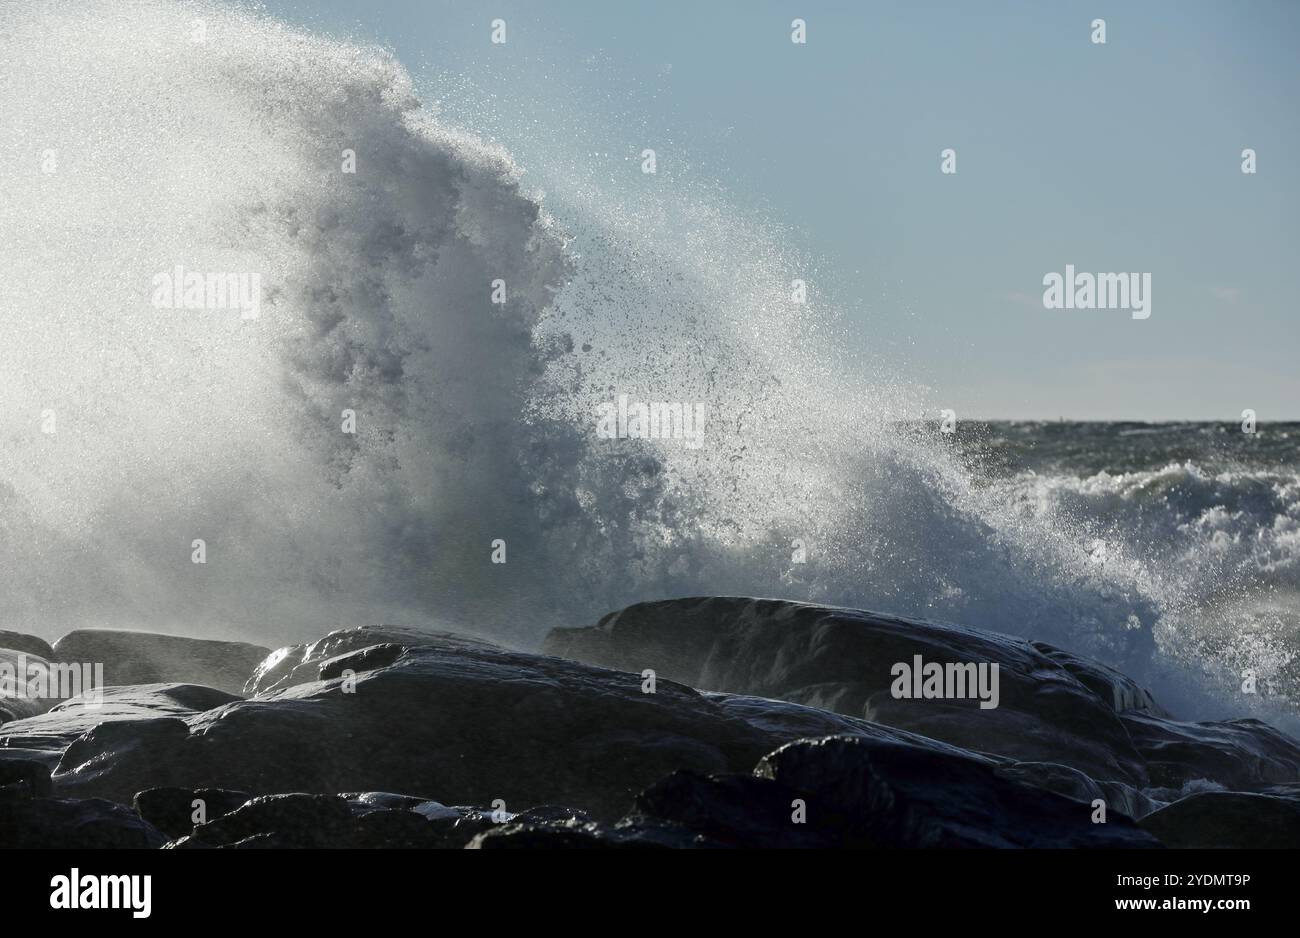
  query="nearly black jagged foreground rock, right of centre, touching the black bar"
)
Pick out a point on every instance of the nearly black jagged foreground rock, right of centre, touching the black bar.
point(842, 793)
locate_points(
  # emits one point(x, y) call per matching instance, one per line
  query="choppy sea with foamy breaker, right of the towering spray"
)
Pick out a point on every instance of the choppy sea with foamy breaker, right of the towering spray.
point(1206, 514)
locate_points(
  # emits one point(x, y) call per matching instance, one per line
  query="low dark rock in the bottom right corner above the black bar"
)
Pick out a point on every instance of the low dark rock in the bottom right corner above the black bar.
point(1228, 819)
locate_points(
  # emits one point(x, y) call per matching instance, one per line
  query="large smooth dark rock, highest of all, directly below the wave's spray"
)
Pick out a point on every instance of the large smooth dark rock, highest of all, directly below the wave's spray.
point(1054, 707)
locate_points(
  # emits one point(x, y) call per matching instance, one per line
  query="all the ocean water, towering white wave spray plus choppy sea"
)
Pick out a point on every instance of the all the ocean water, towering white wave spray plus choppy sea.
point(1168, 551)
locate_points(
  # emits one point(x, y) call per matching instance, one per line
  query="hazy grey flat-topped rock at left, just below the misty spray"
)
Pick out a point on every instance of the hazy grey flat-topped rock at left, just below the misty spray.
point(136, 658)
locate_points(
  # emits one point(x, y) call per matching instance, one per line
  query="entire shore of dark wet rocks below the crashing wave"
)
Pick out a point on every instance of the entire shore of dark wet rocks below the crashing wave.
point(772, 724)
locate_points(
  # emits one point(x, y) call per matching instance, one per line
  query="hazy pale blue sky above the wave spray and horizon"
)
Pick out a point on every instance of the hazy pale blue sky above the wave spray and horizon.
point(1116, 158)
